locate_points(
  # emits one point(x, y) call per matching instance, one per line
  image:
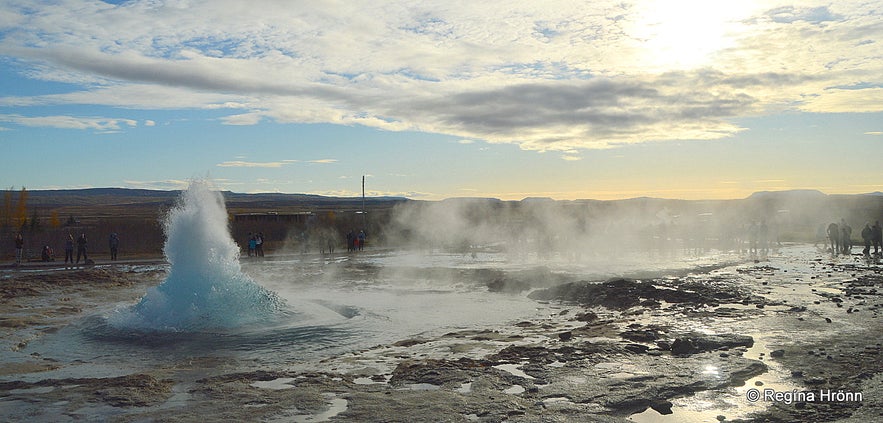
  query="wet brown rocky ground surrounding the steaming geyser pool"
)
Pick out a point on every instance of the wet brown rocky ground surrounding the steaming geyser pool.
point(687, 346)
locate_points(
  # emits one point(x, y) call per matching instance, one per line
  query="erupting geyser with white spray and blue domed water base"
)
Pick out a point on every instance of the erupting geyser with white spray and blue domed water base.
point(205, 288)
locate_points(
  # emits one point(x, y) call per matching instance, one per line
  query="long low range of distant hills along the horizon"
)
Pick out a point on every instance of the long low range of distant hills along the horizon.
point(805, 205)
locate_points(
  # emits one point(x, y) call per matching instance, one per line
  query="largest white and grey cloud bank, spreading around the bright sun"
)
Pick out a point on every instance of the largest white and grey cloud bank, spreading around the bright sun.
point(553, 76)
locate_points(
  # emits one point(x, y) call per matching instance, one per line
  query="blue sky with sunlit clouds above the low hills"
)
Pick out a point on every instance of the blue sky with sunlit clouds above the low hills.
point(691, 99)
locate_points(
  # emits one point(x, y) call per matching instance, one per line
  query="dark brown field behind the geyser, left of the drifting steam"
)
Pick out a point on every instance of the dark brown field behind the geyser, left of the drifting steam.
point(286, 222)
